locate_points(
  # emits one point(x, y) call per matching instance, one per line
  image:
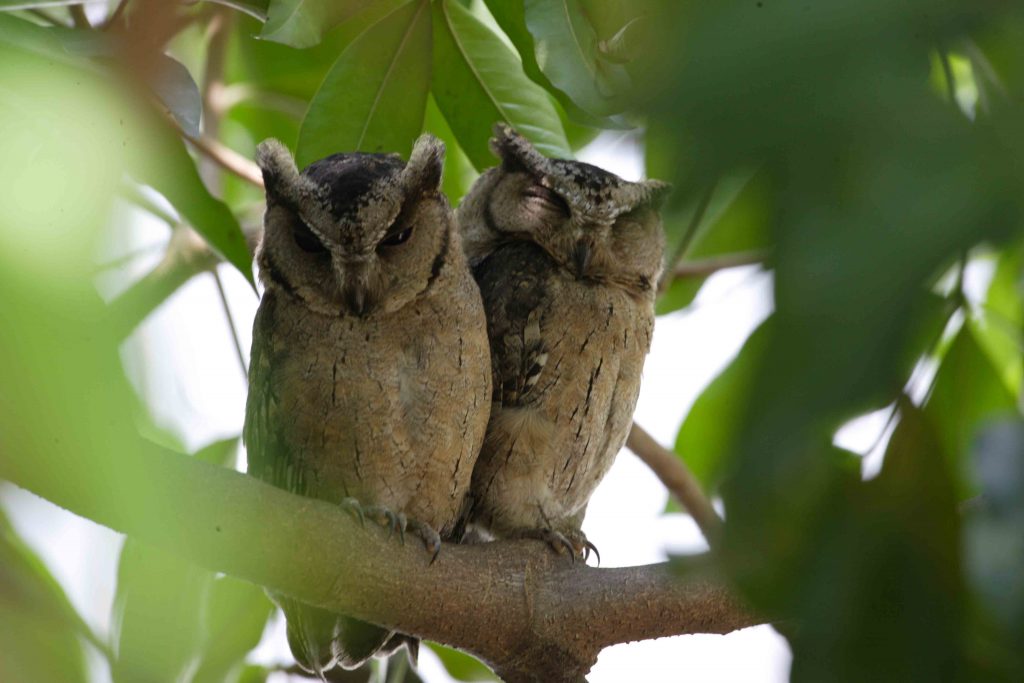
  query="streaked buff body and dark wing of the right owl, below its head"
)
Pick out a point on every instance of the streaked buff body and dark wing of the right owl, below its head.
point(553, 437)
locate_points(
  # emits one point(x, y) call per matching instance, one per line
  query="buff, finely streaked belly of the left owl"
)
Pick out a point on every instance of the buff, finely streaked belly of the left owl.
point(390, 413)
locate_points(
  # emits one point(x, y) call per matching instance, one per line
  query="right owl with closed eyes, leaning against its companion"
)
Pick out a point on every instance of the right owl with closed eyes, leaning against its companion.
point(568, 258)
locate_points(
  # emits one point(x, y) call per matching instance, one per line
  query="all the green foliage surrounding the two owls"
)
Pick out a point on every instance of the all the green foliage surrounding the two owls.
point(868, 153)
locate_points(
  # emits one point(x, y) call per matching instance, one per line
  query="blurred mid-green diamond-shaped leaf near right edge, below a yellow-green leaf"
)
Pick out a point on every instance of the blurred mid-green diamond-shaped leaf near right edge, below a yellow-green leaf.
point(968, 392)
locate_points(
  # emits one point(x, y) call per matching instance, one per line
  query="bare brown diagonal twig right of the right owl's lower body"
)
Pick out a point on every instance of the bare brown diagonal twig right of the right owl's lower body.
point(678, 480)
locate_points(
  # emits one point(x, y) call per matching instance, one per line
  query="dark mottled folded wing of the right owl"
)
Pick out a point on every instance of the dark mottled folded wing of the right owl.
point(515, 285)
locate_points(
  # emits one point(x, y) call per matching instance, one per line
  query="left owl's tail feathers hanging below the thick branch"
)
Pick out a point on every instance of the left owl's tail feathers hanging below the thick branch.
point(320, 639)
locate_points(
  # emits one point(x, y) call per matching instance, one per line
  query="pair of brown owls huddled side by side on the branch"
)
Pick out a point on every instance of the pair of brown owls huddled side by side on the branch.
point(431, 369)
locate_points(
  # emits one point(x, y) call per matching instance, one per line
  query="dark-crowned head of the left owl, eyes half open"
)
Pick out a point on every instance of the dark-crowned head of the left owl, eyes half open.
point(354, 234)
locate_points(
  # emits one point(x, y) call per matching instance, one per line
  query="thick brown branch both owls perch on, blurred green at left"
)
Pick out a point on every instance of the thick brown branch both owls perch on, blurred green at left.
point(528, 612)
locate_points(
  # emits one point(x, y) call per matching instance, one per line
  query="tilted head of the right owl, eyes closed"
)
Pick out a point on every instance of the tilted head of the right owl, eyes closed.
point(596, 226)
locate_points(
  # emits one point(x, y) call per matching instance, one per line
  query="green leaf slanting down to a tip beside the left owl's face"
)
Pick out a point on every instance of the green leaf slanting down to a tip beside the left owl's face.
point(160, 160)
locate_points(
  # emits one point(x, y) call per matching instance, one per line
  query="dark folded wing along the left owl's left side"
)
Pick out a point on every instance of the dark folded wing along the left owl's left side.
point(269, 455)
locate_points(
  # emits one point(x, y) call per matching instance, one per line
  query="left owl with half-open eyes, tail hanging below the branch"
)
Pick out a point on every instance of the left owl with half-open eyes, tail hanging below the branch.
point(370, 379)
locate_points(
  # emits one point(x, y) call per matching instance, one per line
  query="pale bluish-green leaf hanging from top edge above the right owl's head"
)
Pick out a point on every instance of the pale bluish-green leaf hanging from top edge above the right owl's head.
point(567, 50)
